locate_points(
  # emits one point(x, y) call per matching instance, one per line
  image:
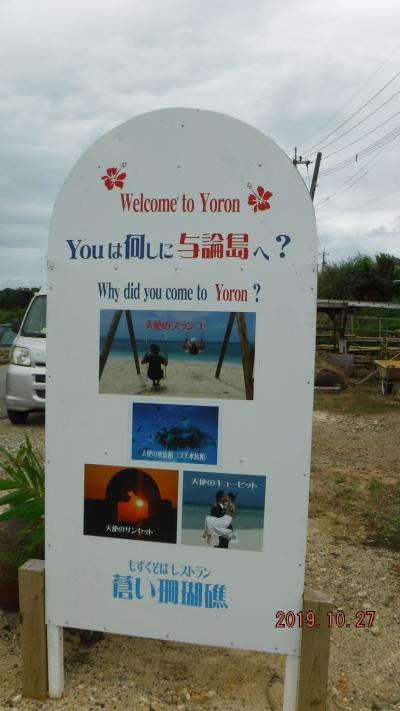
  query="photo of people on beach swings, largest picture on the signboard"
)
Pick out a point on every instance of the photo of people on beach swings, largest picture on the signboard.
point(201, 354)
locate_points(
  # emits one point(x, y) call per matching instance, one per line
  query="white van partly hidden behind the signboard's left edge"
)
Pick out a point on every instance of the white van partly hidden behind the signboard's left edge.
point(26, 374)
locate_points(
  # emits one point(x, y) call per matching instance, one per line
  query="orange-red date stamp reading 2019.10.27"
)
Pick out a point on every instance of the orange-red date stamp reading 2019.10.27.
point(360, 619)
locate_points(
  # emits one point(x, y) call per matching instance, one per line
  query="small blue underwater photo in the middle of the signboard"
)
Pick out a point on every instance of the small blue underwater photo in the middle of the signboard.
point(175, 433)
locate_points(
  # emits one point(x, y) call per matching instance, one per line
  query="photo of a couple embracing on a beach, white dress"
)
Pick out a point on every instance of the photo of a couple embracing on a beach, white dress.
point(223, 510)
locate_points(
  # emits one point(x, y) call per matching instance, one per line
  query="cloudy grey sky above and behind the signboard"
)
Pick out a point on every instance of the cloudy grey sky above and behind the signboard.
point(72, 71)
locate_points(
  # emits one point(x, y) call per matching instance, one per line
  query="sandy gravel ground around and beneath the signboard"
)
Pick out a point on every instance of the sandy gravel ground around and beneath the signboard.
point(149, 675)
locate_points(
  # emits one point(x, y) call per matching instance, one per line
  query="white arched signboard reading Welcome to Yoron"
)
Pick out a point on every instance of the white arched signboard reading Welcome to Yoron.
point(181, 326)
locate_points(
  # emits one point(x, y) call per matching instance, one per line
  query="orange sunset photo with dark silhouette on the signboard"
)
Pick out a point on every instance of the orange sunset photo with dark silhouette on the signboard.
point(131, 503)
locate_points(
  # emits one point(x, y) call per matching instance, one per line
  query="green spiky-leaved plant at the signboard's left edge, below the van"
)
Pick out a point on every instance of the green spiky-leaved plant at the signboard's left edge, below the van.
point(23, 485)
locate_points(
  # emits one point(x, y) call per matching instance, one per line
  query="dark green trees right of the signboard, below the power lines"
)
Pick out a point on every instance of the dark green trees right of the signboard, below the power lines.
point(361, 278)
